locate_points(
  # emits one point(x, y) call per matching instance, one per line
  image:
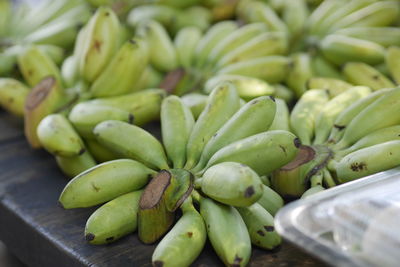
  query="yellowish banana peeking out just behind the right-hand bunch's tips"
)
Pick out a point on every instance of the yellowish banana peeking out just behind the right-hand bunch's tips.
point(333, 86)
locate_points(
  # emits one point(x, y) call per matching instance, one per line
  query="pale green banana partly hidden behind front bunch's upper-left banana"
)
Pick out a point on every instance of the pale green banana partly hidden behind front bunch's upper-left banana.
point(85, 116)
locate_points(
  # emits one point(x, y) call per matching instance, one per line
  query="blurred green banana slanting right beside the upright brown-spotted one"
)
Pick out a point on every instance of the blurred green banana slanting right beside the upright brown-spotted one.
point(123, 71)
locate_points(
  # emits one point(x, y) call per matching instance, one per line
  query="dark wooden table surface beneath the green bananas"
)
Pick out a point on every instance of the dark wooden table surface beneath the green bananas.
point(41, 233)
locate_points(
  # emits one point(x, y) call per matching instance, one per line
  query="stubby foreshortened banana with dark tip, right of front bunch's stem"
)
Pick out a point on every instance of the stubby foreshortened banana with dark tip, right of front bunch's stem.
point(231, 183)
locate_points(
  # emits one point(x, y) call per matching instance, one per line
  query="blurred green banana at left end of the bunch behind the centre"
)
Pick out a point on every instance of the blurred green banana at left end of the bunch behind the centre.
point(162, 53)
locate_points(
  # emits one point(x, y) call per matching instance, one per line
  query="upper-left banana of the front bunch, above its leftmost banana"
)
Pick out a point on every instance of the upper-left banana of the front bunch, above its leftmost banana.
point(144, 147)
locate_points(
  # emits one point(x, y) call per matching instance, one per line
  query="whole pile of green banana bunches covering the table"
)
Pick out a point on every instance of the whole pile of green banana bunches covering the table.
point(264, 96)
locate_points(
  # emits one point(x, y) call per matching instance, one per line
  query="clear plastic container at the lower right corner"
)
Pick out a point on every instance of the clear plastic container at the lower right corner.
point(354, 224)
